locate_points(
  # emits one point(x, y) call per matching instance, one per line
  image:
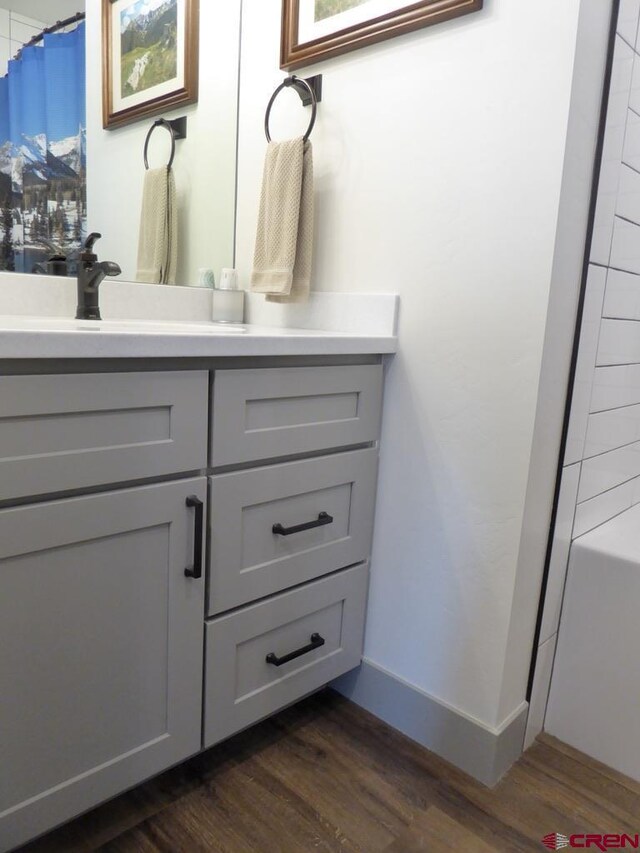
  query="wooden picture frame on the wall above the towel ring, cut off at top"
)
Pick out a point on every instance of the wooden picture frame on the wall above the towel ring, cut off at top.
point(353, 28)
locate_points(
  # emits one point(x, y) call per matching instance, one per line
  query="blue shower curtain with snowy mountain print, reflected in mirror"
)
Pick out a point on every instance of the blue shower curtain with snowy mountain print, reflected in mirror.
point(43, 162)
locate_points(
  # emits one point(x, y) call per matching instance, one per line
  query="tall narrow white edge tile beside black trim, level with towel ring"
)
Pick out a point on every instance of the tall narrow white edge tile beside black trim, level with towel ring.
point(621, 80)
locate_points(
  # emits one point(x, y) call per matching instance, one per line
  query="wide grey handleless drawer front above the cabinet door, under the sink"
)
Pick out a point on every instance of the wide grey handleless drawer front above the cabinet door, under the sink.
point(78, 431)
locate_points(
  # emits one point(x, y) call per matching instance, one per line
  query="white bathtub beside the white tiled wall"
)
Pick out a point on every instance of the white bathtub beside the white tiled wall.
point(594, 703)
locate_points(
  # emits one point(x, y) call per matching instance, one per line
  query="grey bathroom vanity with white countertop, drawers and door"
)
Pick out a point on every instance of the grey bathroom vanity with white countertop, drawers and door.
point(184, 543)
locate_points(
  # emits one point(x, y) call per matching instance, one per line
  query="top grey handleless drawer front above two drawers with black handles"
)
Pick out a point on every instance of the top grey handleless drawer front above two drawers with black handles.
point(263, 414)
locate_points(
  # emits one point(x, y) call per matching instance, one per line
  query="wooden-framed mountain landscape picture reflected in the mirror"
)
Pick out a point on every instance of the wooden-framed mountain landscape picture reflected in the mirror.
point(149, 58)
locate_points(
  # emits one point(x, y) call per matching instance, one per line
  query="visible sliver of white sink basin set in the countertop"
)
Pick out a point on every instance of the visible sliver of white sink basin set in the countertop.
point(134, 327)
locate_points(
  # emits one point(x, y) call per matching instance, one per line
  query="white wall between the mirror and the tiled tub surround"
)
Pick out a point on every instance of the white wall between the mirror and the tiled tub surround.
point(438, 170)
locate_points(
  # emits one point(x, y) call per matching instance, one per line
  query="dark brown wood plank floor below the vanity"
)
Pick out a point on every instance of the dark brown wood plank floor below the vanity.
point(326, 776)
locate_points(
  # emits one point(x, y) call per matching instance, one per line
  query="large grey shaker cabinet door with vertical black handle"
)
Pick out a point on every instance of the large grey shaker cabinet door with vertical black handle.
point(101, 650)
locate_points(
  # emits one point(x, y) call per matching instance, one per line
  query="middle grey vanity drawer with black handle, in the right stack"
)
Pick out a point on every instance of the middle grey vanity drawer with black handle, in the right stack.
point(249, 560)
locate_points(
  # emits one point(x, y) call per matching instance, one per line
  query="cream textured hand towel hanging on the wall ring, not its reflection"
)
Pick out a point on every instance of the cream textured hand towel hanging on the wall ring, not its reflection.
point(284, 240)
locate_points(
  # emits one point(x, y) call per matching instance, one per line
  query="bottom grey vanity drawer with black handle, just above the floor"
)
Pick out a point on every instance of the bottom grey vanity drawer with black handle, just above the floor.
point(241, 687)
